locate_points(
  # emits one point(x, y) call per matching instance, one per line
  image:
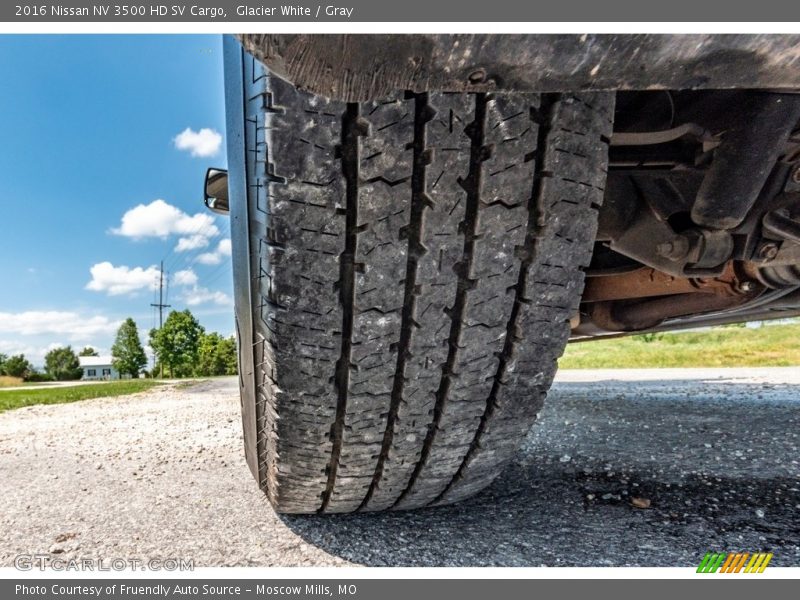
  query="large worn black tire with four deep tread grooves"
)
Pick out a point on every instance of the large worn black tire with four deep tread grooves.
point(415, 262)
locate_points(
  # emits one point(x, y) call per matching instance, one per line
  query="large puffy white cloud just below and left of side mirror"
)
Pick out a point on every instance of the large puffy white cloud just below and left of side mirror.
point(160, 219)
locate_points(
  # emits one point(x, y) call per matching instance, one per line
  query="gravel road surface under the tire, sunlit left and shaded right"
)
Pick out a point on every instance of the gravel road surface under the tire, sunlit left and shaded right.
point(161, 474)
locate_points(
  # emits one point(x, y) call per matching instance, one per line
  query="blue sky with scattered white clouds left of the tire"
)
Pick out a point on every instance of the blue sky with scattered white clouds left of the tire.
point(105, 142)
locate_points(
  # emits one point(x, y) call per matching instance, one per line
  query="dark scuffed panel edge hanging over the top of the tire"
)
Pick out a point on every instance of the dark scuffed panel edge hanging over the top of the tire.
point(356, 68)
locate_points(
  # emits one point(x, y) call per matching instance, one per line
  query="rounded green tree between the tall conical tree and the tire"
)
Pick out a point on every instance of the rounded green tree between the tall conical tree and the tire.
point(177, 343)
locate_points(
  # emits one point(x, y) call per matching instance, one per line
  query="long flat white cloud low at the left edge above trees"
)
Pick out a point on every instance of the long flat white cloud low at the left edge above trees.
point(72, 325)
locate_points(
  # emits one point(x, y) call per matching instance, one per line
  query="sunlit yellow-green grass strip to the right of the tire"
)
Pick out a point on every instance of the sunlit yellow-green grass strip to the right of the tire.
point(771, 345)
